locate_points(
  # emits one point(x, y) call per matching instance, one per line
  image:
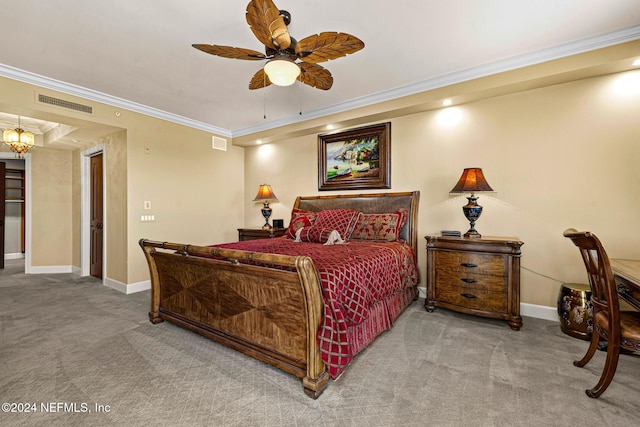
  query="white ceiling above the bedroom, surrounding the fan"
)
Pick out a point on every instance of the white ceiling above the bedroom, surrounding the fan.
point(138, 54)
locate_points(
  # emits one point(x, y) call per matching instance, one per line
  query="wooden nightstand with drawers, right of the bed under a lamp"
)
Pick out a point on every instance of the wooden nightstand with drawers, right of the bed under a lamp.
point(475, 276)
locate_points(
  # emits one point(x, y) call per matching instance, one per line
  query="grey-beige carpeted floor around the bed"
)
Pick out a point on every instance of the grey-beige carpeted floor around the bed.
point(66, 340)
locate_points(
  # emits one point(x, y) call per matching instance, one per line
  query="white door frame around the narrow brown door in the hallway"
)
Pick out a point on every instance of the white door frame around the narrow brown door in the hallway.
point(85, 214)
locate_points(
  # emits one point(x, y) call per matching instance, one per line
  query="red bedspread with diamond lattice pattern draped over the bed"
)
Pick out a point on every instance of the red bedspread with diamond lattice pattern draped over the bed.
point(354, 277)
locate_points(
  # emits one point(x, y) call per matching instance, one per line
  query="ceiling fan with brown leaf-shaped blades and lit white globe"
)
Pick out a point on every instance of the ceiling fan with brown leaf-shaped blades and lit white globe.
point(269, 25)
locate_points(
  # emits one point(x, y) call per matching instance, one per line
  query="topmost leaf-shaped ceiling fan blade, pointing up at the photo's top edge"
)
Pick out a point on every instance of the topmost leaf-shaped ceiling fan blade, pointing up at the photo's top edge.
point(267, 25)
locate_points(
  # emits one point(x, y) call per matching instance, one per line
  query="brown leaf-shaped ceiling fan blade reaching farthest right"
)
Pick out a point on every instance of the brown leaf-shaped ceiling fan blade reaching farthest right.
point(326, 46)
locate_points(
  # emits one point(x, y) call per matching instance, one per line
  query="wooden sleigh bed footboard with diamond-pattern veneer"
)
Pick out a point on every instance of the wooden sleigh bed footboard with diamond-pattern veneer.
point(266, 306)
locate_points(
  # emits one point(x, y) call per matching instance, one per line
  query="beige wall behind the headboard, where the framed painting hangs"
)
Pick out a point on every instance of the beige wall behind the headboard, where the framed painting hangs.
point(557, 157)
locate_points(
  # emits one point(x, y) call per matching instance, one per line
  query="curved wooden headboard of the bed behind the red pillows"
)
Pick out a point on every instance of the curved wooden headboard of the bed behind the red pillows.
point(370, 203)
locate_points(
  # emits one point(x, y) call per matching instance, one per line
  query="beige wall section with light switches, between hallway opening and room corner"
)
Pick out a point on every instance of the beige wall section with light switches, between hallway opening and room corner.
point(196, 192)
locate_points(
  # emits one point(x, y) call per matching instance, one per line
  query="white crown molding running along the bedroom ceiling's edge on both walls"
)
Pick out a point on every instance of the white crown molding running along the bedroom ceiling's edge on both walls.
point(519, 61)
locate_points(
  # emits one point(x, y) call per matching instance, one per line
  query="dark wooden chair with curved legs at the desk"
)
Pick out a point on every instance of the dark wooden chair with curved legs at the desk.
point(621, 329)
